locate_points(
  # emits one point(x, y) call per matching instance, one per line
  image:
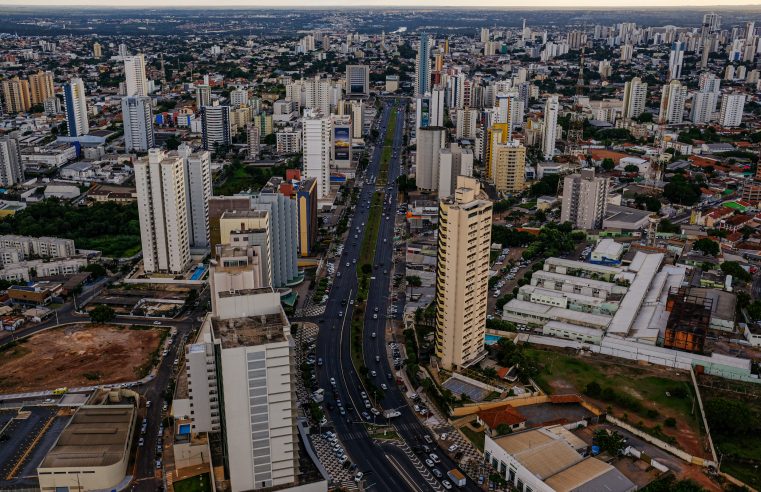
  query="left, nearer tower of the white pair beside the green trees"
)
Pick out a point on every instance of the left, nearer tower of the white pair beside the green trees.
point(161, 201)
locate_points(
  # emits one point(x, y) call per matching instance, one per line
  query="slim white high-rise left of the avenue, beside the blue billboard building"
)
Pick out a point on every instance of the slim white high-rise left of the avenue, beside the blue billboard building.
point(316, 140)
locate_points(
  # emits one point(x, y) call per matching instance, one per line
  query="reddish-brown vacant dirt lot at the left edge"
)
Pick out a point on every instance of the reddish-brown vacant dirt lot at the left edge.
point(77, 355)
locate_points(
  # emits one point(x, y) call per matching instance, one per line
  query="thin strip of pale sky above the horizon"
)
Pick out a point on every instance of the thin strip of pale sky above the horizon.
point(387, 3)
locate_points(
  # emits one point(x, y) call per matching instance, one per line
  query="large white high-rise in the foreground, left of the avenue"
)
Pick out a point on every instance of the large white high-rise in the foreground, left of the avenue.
point(241, 382)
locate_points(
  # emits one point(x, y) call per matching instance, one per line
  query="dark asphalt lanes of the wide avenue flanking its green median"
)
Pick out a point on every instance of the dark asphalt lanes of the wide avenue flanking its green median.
point(386, 468)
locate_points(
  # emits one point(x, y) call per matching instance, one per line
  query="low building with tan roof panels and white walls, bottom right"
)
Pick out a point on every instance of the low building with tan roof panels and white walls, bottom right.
point(540, 460)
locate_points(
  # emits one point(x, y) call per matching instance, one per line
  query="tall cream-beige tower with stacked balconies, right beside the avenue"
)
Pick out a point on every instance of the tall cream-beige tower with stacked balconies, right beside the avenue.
point(462, 275)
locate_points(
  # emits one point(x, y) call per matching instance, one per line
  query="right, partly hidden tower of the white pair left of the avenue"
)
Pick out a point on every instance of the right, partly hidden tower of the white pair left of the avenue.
point(197, 192)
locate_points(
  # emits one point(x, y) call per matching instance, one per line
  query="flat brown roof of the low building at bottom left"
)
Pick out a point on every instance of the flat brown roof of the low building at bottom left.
point(96, 436)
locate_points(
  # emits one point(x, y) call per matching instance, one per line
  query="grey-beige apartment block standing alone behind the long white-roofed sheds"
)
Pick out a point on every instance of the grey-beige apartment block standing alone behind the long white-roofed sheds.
point(585, 200)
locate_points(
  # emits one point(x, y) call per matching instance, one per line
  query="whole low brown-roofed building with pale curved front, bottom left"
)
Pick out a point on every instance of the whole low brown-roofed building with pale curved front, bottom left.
point(92, 452)
